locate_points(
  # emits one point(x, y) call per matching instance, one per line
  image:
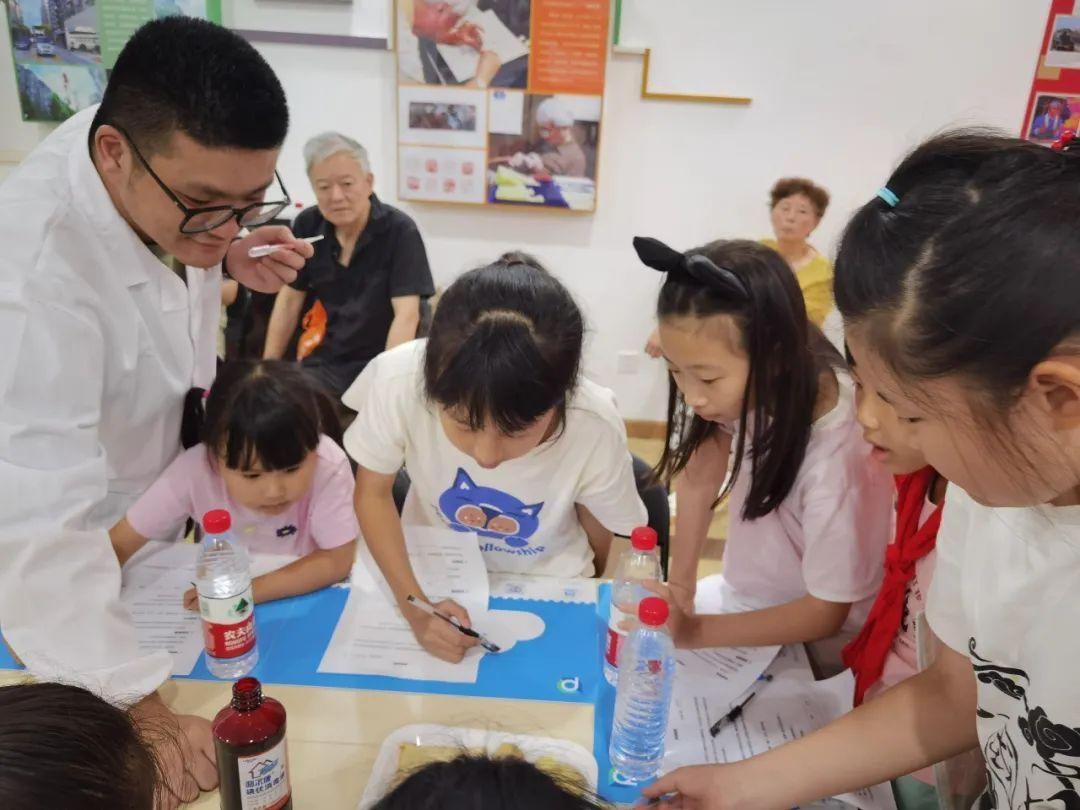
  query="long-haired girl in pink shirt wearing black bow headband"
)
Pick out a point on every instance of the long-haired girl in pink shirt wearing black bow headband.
point(811, 511)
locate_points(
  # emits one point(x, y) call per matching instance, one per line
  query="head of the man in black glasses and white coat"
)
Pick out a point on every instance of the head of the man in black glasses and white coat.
point(193, 118)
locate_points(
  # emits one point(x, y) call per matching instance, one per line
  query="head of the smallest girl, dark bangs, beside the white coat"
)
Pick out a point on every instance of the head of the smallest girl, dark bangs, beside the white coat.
point(264, 421)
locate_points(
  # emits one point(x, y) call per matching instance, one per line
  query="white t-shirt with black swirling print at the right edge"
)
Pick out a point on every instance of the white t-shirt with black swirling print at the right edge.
point(1007, 595)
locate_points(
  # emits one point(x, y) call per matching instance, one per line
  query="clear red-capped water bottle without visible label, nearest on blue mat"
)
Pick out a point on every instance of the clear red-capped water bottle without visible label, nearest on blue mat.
point(646, 676)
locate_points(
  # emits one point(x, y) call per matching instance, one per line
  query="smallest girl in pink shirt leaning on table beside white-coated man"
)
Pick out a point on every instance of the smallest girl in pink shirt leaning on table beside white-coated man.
point(269, 455)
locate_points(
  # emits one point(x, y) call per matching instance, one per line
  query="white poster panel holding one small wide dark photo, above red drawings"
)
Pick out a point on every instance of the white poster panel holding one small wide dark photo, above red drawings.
point(429, 116)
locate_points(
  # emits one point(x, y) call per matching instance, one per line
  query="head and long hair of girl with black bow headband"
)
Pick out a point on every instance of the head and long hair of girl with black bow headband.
point(735, 333)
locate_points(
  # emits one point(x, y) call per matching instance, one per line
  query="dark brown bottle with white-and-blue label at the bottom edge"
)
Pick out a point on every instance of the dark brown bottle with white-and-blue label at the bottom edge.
point(252, 755)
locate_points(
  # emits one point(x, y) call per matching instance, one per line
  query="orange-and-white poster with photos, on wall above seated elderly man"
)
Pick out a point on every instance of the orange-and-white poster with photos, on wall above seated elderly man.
point(499, 102)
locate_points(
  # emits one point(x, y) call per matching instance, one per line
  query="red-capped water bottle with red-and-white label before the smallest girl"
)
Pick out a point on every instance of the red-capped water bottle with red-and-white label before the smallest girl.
point(224, 583)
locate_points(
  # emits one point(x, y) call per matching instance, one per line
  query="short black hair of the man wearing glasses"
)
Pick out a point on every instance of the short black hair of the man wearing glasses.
point(184, 75)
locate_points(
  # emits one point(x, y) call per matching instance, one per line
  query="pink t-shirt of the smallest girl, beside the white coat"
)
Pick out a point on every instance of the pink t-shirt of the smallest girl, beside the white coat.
point(323, 519)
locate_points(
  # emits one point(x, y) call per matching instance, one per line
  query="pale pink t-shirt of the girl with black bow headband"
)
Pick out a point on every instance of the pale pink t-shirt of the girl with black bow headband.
point(829, 536)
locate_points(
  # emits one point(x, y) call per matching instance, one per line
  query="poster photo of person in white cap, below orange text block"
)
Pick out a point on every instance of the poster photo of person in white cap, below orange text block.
point(543, 150)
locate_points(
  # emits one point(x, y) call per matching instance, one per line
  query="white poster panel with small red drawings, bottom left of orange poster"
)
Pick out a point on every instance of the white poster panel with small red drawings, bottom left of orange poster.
point(435, 174)
